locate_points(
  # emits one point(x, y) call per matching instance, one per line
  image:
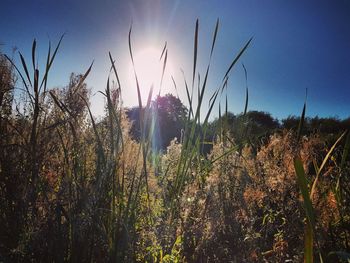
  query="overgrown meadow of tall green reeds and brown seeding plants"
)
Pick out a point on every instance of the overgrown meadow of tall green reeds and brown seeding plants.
point(77, 189)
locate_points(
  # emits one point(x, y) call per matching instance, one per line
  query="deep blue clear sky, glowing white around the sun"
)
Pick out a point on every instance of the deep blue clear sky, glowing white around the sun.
point(297, 45)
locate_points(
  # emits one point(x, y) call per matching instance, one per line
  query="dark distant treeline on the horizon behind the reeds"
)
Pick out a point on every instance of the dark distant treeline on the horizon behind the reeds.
point(169, 117)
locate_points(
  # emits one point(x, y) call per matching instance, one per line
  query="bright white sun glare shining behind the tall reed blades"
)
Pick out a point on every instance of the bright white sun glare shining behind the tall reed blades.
point(149, 68)
